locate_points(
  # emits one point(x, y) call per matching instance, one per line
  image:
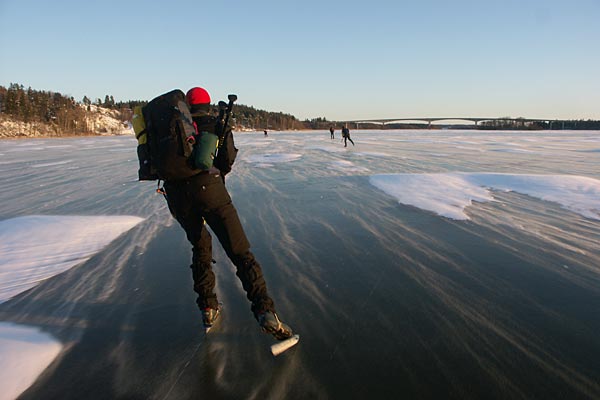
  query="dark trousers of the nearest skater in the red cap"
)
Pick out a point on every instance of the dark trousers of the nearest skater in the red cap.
point(205, 198)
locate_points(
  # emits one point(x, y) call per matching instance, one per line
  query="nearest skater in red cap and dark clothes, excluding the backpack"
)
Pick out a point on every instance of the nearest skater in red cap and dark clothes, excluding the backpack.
point(203, 200)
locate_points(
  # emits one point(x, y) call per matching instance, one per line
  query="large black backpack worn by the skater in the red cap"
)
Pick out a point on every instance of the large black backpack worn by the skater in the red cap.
point(165, 143)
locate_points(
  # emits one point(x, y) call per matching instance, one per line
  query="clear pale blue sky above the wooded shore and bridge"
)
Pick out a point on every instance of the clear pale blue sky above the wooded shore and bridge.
point(342, 60)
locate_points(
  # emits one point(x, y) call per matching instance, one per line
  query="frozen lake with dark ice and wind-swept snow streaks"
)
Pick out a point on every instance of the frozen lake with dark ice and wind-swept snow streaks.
point(416, 264)
